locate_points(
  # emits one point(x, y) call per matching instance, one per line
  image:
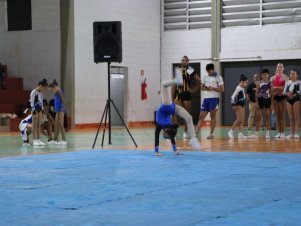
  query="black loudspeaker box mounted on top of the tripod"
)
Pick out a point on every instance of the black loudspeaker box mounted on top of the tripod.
point(107, 41)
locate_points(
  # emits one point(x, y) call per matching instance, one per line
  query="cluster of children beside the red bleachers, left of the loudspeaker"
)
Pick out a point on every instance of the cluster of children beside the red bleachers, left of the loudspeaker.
point(39, 120)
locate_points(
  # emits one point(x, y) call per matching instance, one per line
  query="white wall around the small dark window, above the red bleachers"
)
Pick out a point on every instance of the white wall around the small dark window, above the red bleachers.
point(33, 54)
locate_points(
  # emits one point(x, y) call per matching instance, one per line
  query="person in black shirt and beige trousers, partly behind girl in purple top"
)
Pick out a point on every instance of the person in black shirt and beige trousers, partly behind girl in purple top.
point(251, 90)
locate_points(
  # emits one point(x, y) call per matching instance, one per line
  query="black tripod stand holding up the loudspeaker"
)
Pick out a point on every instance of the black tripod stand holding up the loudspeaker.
point(106, 112)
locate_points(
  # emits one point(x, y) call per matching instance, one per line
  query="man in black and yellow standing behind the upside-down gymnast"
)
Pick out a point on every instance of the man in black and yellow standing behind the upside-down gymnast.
point(182, 93)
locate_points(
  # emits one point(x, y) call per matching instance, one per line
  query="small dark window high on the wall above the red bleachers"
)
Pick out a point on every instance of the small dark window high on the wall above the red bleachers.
point(19, 15)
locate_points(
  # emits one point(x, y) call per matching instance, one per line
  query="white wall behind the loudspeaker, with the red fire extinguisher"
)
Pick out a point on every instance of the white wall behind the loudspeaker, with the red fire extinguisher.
point(141, 50)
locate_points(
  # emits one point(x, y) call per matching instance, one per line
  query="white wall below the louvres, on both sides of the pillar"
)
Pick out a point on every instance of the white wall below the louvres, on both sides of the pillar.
point(270, 42)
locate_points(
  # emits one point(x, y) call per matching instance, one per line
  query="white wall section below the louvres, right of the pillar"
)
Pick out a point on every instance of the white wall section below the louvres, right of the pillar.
point(270, 42)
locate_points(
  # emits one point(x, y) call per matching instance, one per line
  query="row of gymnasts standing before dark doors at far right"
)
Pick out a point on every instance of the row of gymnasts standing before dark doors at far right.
point(280, 93)
